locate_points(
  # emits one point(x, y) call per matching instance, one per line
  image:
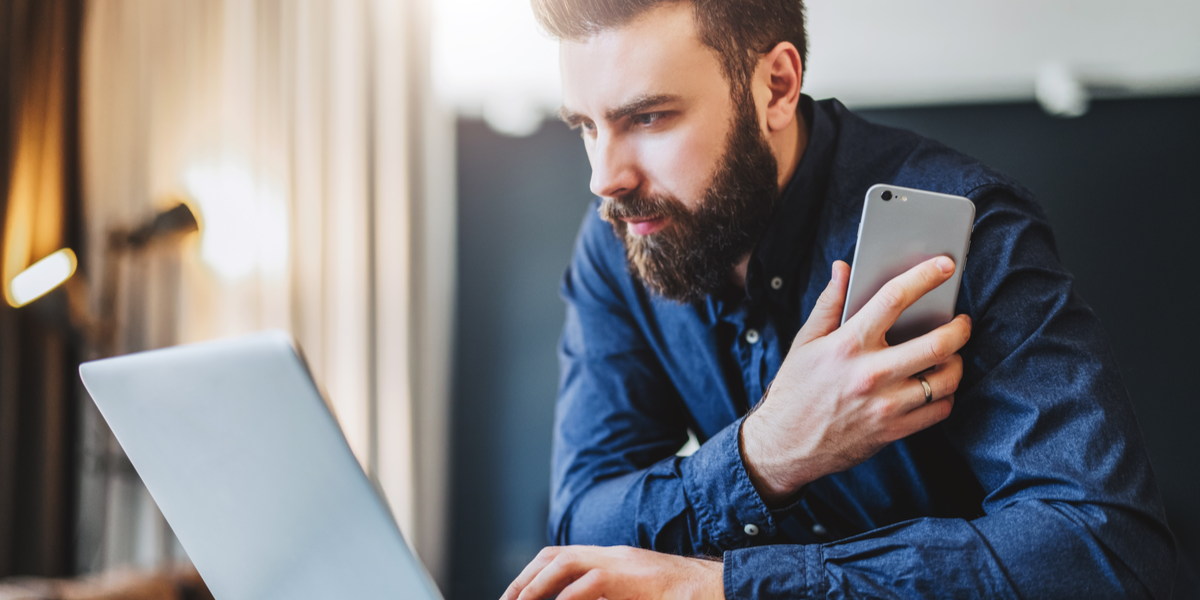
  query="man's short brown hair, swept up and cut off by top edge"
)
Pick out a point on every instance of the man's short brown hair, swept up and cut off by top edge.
point(740, 31)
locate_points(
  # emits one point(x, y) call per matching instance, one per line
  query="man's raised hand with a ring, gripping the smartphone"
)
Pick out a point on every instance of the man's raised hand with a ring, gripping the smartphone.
point(843, 394)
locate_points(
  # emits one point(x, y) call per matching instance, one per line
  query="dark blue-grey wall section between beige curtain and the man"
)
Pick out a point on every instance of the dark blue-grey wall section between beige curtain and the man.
point(520, 206)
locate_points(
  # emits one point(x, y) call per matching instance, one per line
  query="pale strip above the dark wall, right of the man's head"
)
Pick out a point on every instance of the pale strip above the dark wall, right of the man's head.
point(917, 52)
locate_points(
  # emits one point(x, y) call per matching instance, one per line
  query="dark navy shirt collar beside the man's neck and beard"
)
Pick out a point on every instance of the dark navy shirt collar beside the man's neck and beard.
point(789, 239)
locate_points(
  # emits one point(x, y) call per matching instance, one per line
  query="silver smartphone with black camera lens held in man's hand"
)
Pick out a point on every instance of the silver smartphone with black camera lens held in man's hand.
point(902, 229)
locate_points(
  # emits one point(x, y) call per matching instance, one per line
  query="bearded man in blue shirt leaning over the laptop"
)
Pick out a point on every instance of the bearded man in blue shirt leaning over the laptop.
point(706, 295)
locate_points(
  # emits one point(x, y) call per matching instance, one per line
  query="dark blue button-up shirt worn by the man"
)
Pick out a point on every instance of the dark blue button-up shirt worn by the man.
point(1039, 485)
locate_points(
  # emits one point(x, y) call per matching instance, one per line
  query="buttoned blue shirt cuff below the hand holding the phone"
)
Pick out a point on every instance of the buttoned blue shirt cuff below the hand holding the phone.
point(730, 511)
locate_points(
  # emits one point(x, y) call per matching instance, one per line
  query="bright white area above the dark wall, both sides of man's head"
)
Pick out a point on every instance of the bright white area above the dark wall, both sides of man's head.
point(491, 59)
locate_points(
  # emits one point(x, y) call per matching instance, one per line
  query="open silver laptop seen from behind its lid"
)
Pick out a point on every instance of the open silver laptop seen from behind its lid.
point(241, 452)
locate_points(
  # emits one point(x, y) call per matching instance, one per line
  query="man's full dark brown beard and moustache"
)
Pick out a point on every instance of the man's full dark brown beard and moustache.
point(695, 255)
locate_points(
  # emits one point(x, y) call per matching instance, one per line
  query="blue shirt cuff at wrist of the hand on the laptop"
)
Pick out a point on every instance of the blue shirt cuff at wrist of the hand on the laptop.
point(770, 573)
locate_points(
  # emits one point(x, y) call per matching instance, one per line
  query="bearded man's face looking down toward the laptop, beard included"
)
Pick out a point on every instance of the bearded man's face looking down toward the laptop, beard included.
point(687, 178)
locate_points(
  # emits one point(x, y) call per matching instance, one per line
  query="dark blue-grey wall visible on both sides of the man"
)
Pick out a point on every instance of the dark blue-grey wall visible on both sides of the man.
point(1117, 184)
